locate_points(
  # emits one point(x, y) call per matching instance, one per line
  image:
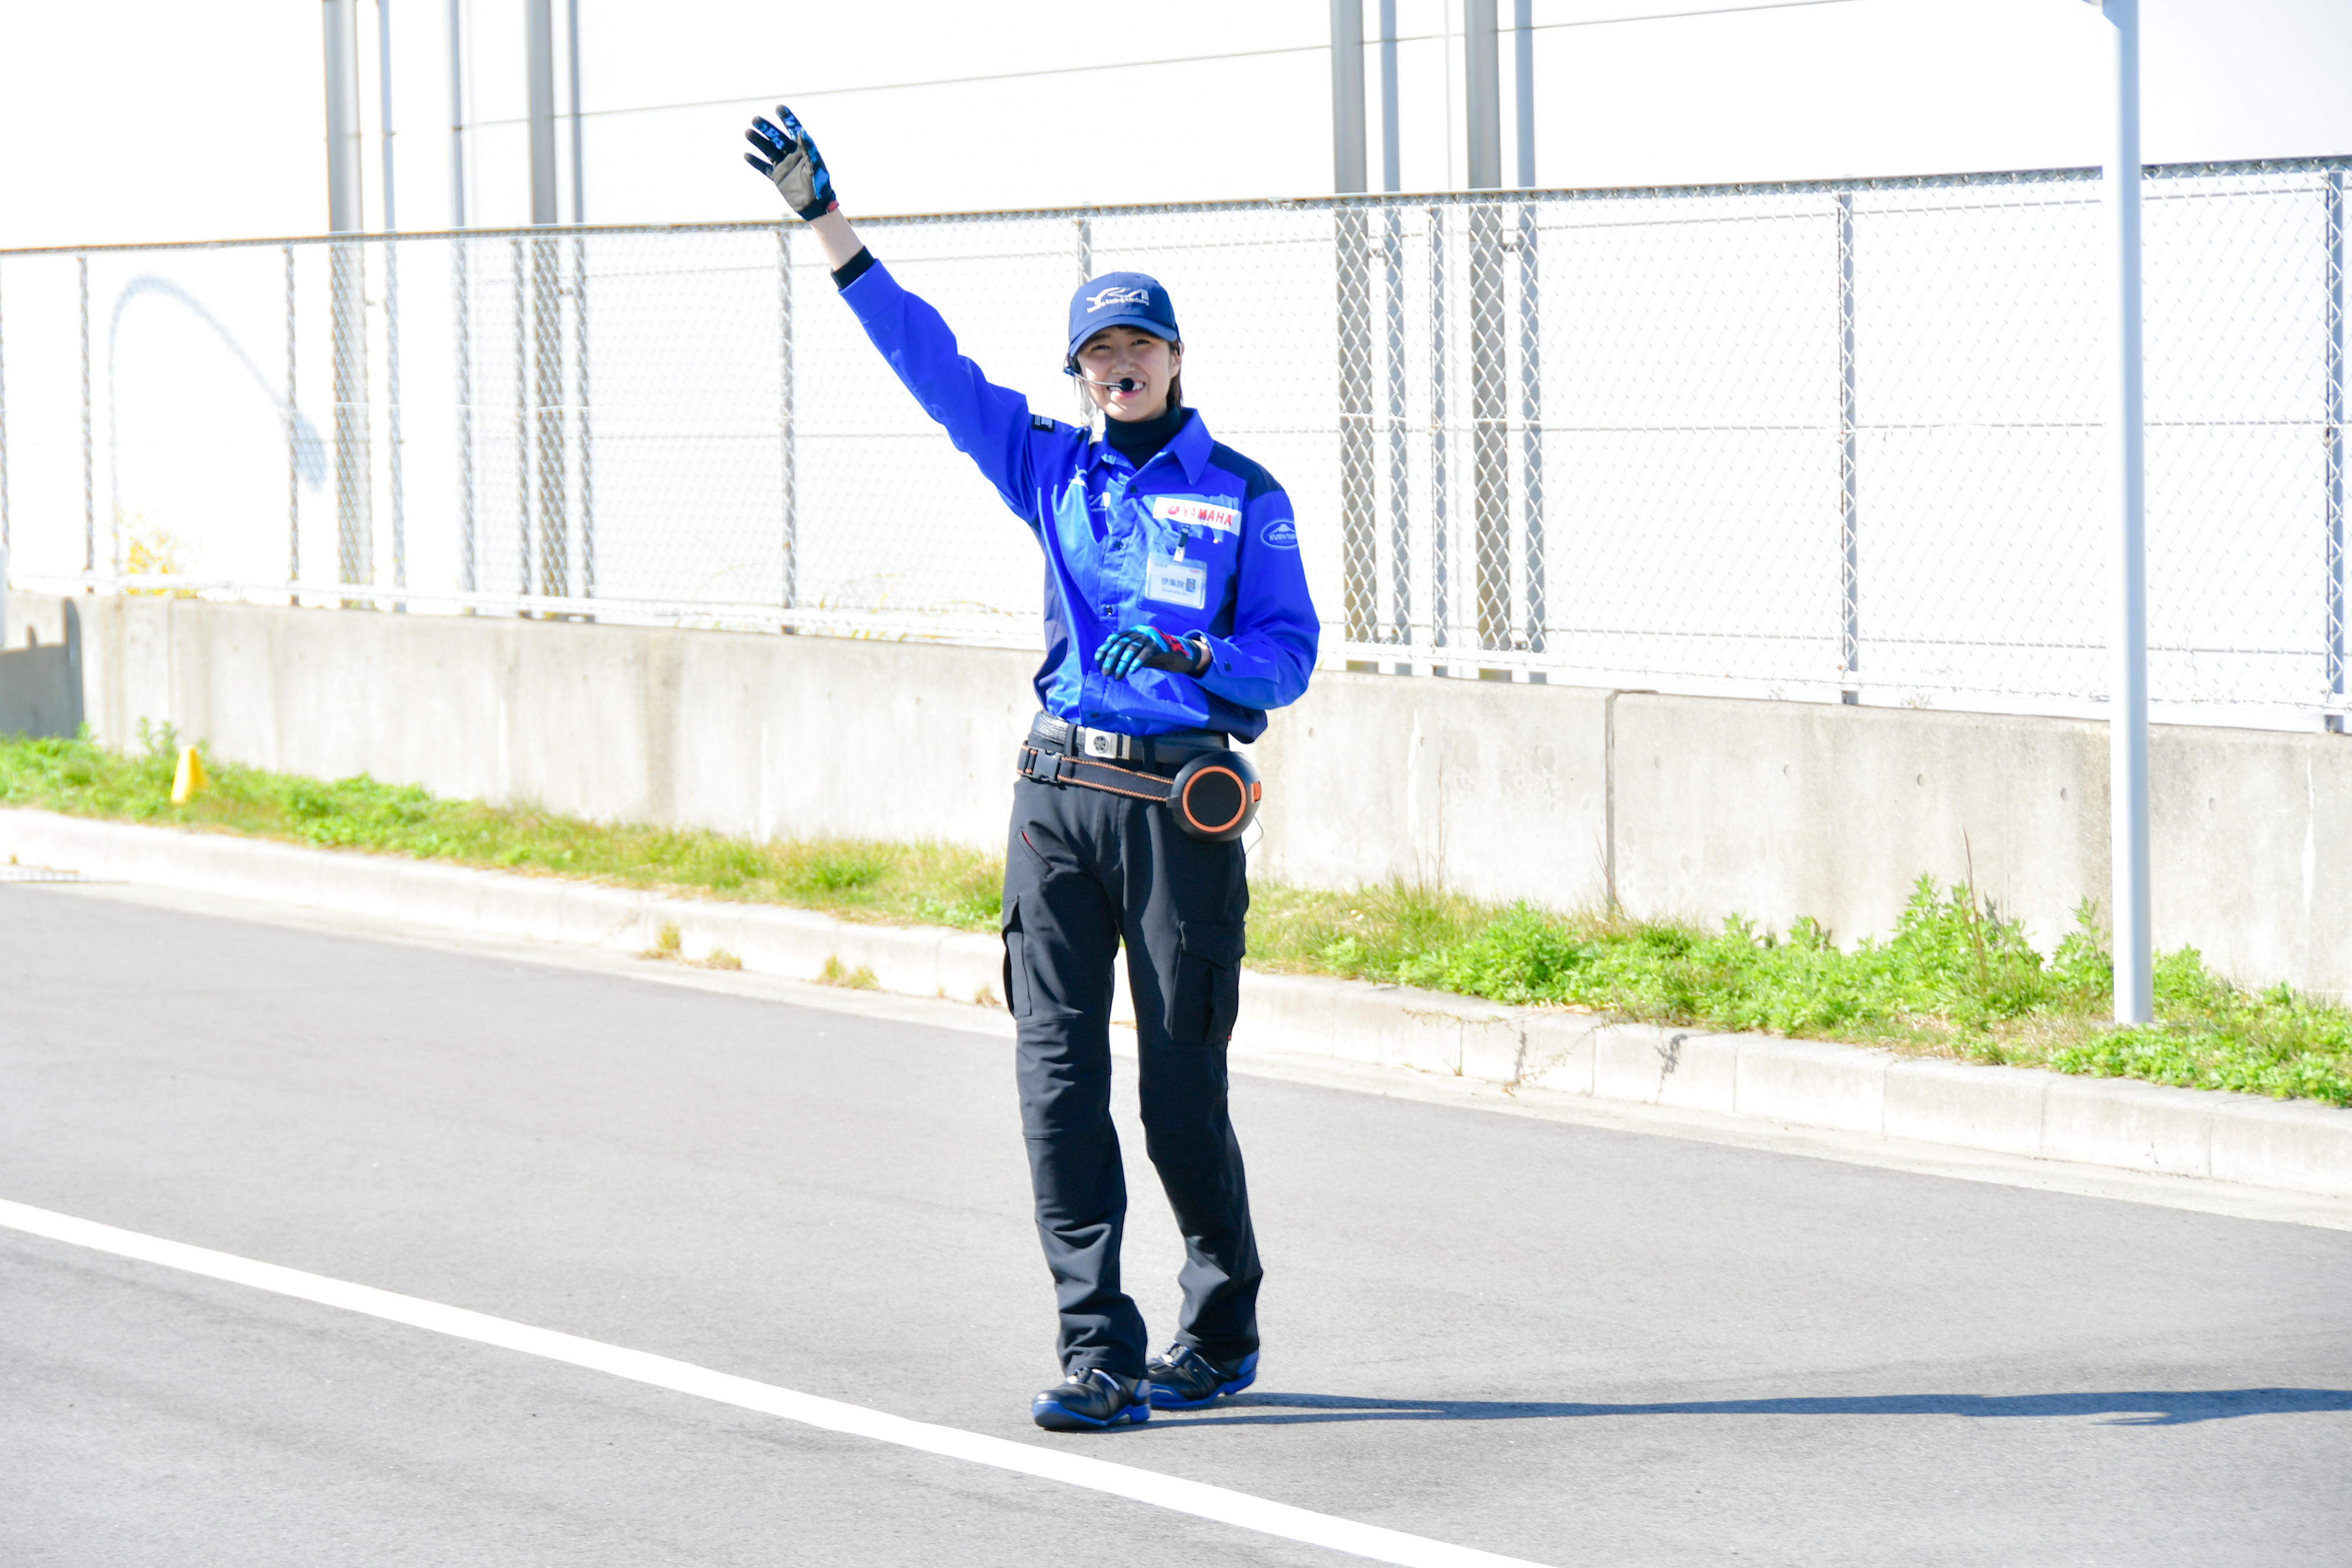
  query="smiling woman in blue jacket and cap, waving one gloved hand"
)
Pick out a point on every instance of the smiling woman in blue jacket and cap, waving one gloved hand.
point(1177, 615)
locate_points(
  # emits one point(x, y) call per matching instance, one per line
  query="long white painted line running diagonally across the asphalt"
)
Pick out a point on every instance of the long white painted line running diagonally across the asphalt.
point(1154, 1489)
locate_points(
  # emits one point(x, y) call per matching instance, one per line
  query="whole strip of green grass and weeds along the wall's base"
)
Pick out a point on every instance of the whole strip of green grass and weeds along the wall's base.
point(1953, 979)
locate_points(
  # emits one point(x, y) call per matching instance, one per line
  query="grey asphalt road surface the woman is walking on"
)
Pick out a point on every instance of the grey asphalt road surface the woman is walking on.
point(1558, 1343)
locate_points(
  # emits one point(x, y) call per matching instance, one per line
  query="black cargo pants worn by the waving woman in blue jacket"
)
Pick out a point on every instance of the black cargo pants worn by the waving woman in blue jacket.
point(1085, 869)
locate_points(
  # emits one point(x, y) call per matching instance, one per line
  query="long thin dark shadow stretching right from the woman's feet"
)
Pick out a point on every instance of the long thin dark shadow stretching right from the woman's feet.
point(2144, 1409)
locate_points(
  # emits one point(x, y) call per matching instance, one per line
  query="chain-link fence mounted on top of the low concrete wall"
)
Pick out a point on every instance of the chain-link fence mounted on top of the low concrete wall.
point(1803, 441)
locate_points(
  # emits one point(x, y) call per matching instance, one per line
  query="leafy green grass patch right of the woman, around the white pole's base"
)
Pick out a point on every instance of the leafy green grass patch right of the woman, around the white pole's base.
point(1953, 979)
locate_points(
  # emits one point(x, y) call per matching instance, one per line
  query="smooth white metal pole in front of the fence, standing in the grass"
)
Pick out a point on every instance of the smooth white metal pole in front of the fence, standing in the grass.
point(2127, 492)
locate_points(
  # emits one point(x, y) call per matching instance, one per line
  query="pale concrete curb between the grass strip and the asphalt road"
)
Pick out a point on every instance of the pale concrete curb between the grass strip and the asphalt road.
point(2290, 1146)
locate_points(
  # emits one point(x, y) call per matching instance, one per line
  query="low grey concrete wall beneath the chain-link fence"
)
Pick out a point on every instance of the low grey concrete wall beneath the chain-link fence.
point(1692, 808)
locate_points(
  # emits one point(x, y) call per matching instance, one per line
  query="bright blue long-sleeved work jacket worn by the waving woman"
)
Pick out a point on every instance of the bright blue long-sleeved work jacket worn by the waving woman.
point(1198, 540)
